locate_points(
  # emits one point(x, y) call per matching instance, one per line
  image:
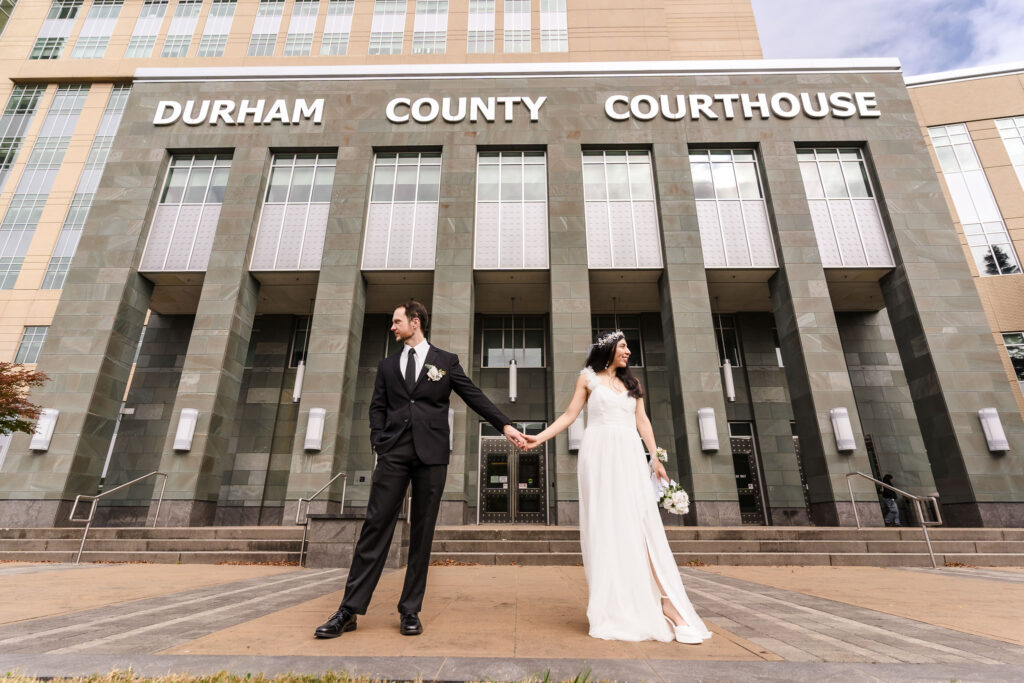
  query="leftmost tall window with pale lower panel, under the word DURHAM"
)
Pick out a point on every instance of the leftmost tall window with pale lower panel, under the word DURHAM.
point(186, 221)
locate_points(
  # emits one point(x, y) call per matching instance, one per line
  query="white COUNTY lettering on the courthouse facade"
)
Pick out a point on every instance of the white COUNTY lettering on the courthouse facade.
point(454, 110)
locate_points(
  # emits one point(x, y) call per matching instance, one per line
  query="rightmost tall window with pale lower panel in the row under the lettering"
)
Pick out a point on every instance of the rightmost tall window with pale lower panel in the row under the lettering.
point(847, 223)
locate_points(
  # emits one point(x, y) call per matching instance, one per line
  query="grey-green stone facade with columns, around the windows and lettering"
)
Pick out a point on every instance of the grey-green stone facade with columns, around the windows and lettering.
point(836, 354)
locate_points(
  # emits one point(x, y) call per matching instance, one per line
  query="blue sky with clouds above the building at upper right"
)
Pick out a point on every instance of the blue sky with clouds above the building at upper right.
point(928, 36)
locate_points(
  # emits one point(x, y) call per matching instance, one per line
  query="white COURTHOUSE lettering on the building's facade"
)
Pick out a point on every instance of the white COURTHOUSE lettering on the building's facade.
point(758, 106)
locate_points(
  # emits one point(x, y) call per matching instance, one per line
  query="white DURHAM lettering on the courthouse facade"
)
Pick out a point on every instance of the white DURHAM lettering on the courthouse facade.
point(195, 113)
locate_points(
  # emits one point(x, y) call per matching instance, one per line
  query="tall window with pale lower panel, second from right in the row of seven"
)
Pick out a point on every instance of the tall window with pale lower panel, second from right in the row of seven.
point(732, 212)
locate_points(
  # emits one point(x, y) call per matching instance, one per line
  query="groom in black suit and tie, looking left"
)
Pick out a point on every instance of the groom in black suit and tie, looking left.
point(410, 432)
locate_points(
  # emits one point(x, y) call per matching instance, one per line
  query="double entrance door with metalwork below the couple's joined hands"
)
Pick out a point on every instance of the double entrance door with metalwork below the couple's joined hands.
point(514, 486)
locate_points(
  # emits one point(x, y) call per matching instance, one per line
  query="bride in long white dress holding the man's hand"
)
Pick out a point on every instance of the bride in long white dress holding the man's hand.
point(636, 592)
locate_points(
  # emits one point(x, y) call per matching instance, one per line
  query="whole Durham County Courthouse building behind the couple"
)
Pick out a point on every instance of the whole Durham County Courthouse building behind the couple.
point(210, 210)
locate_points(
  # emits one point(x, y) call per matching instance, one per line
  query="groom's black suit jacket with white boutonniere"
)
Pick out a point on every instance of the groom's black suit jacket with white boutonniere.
point(395, 408)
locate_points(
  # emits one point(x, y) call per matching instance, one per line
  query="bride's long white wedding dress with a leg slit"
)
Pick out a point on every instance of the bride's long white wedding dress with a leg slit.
point(620, 528)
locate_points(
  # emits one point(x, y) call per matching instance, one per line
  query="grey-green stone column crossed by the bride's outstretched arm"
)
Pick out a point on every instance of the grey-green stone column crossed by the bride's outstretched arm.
point(571, 325)
